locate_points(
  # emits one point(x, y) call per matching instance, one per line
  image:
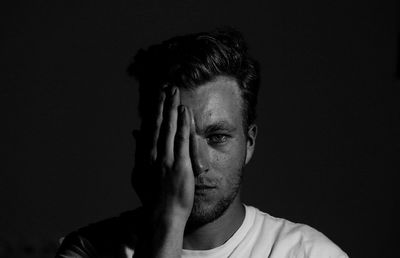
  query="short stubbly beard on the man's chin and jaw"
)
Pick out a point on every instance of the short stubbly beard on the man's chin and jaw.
point(203, 213)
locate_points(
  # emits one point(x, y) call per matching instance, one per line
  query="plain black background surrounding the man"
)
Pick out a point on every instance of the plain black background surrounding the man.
point(328, 116)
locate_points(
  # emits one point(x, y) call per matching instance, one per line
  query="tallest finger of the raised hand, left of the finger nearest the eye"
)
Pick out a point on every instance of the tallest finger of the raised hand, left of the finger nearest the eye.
point(166, 138)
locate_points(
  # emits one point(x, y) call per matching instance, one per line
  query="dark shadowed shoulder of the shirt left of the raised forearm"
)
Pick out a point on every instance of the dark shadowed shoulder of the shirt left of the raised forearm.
point(100, 238)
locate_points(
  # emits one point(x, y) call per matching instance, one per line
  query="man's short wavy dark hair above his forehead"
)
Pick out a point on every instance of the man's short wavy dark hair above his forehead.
point(192, 60)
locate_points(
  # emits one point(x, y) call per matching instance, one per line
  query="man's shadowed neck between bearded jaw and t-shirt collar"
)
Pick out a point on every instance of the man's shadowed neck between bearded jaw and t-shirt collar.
point(217, 232)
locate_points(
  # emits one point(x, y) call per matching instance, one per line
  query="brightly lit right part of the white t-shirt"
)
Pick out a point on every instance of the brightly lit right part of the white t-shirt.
point(262, 235)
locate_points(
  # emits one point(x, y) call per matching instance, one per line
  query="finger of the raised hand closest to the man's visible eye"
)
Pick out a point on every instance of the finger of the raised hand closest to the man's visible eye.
point(182, 136)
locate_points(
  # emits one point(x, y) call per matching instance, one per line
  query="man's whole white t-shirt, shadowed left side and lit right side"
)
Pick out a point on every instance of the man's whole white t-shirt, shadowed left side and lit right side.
point(259, 236)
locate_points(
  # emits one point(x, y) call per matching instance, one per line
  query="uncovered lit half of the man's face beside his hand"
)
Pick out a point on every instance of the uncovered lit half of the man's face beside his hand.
point(219, 146)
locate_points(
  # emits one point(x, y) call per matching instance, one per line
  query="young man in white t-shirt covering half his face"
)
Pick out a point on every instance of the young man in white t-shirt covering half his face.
point(198, 98)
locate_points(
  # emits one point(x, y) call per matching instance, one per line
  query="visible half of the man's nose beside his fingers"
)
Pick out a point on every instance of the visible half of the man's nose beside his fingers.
point(199, 155)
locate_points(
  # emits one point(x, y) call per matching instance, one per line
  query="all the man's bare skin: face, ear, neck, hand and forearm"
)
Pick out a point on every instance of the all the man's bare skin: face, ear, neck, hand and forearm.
point(194, 163)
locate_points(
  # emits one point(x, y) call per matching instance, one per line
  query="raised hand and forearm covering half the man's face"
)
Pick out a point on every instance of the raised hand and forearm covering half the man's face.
point(173, 192)
